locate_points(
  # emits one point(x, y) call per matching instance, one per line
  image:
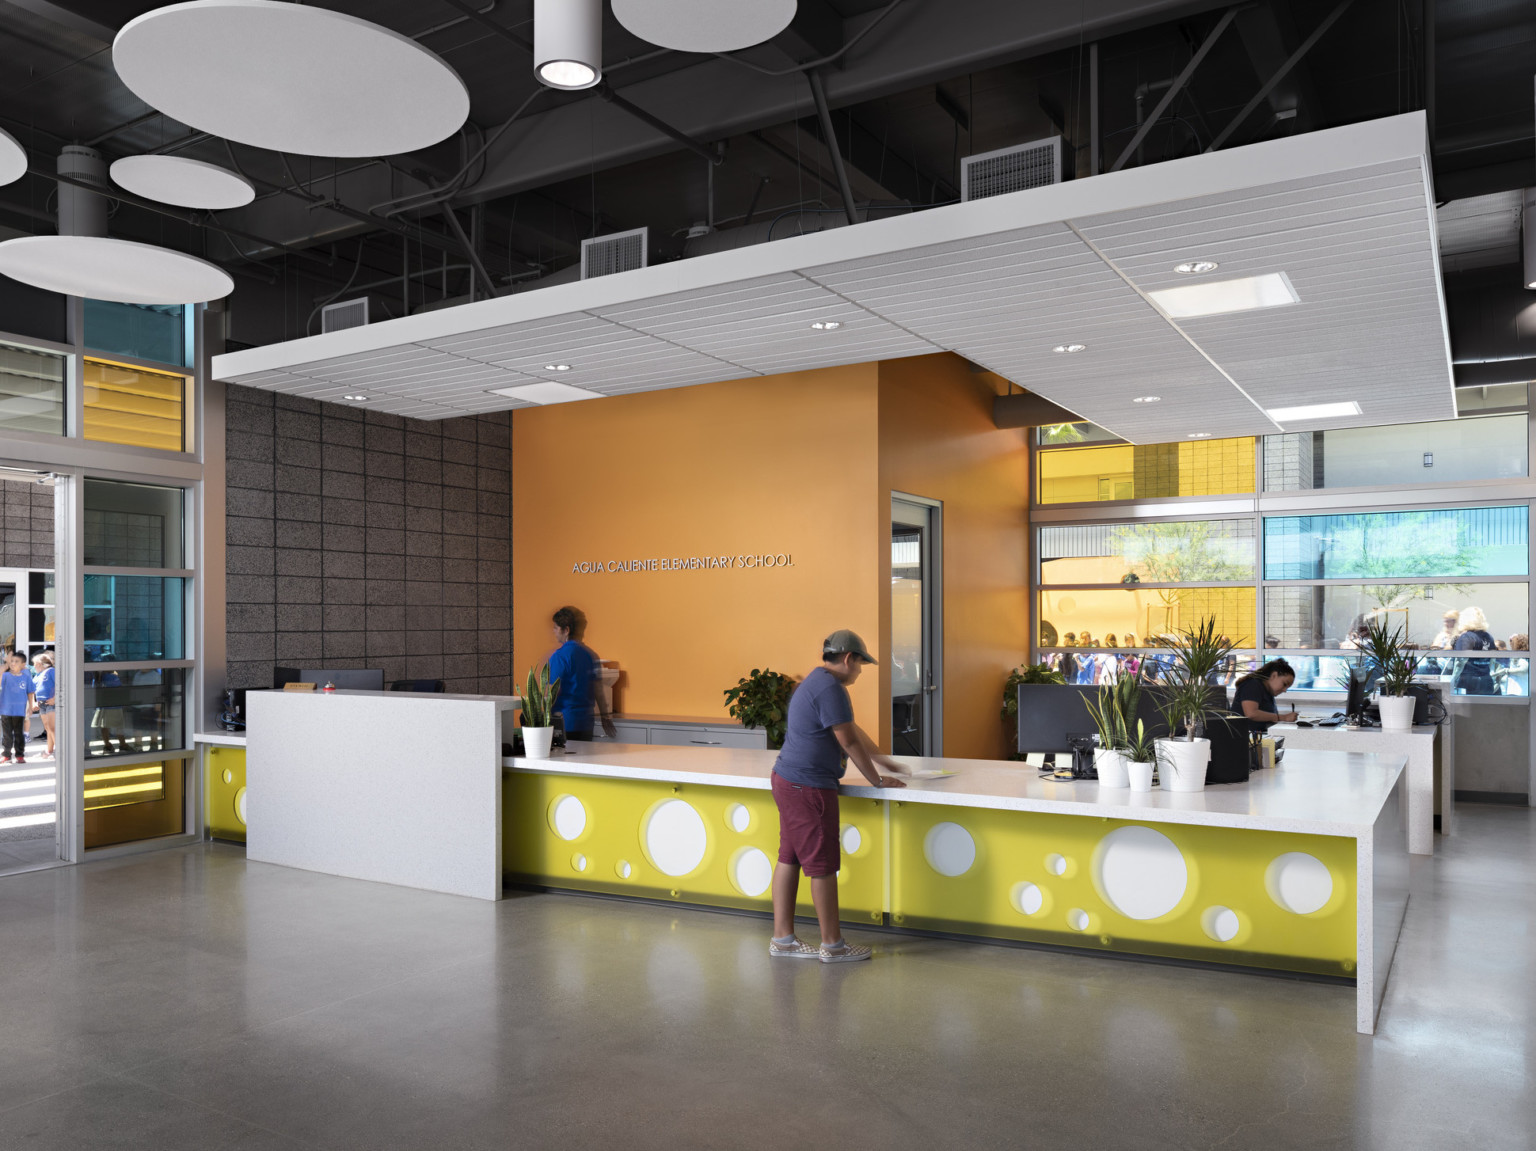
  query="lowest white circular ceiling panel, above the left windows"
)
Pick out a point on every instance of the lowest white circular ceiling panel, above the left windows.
point(101, 268)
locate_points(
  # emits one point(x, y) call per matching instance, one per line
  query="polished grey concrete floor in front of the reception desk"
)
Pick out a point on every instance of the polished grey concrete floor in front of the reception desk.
point(190, 1000)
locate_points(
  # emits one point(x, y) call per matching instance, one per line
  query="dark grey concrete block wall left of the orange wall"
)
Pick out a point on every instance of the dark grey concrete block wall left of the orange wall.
point(366, 540)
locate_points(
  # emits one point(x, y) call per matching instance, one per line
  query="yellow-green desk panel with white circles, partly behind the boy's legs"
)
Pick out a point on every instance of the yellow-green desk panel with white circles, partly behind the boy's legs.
point(687, 843)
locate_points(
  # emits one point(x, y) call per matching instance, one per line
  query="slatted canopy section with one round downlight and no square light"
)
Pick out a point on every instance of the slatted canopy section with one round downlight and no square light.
point(764, 327)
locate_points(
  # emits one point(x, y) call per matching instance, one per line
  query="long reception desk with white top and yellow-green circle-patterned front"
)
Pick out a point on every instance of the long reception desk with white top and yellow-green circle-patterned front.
point(1300, 871)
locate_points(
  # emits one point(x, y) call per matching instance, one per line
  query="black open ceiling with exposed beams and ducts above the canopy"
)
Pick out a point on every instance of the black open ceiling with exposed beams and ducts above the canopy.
point(902, 122)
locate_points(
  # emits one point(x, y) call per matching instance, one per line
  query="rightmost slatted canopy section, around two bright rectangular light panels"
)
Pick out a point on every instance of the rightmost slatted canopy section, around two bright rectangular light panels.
point(1359, 250)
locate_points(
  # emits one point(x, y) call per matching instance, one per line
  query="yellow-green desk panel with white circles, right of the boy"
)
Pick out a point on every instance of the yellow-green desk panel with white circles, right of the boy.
point(1214, 894)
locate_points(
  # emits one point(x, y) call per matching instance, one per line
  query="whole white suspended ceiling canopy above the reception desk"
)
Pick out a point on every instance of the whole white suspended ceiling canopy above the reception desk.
point(1342, 219)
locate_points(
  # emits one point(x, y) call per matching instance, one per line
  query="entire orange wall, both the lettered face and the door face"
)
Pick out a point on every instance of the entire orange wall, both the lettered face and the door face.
point(804, 465)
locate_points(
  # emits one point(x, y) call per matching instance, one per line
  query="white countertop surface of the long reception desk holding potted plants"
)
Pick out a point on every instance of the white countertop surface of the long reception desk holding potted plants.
point(1313, 792)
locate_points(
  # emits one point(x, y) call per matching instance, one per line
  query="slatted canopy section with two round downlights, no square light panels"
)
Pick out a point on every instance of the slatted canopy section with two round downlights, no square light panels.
point(1007, 302)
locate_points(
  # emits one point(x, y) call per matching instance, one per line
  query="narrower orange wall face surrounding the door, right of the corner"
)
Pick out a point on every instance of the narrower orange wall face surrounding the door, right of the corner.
point(938, 440)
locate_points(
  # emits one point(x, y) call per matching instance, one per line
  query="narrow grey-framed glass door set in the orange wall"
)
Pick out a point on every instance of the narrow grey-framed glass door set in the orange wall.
point(916, 622)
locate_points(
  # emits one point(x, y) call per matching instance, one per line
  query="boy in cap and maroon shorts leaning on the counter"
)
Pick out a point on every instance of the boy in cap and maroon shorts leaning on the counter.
point(819, 732)
